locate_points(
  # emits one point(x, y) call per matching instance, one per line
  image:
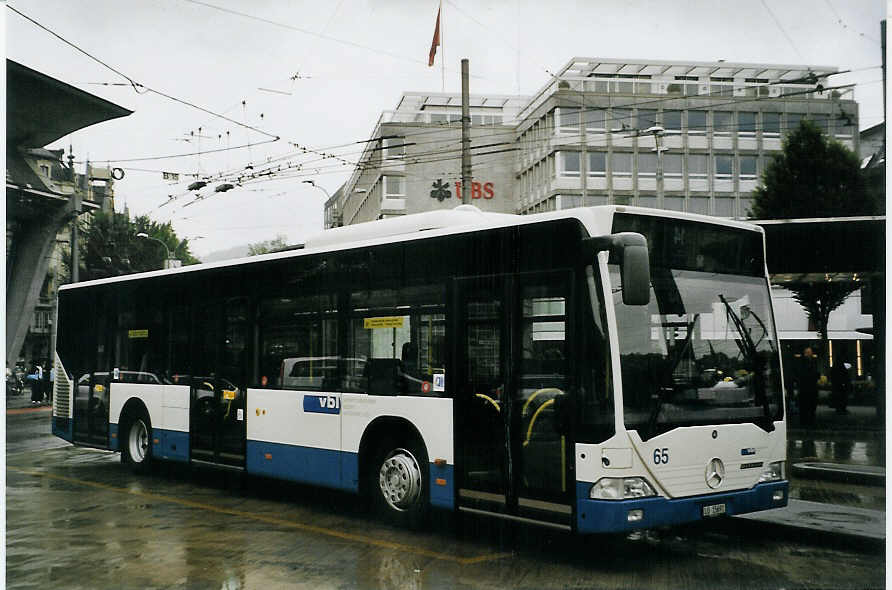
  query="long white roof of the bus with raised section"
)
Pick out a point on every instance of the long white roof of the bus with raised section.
point(461, 219)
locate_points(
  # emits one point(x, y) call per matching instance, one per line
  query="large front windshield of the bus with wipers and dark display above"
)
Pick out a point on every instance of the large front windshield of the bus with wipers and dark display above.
point(704, 350)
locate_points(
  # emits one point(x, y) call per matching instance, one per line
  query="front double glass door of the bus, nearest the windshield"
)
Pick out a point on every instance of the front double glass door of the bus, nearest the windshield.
point(512, 450)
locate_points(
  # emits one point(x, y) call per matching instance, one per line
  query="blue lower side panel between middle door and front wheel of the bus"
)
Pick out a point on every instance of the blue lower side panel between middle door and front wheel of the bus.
point(324, 467)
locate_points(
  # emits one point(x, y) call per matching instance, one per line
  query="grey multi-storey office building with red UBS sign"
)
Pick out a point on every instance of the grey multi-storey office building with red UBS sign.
point(685, 136)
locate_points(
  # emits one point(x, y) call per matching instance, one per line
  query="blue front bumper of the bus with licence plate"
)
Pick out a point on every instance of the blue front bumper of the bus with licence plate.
point(607, 516)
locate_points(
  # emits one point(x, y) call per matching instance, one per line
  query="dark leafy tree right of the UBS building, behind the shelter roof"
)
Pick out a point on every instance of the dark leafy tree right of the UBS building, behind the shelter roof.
point(814, 177)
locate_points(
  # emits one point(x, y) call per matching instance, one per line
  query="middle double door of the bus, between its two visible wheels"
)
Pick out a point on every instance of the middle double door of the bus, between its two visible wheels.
point(217, 405)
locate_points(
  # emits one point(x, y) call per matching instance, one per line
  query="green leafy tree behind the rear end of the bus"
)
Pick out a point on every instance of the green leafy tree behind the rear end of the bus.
point(109, 245)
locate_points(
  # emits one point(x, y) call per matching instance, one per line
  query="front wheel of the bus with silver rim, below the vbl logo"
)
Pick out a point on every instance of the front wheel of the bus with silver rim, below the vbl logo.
point(398, 482)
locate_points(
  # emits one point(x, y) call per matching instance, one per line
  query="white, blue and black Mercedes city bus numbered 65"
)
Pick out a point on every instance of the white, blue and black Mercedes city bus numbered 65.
point(597, 369)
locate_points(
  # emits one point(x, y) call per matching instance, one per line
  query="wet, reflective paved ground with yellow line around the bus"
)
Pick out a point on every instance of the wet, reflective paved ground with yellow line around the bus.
point(77, 519)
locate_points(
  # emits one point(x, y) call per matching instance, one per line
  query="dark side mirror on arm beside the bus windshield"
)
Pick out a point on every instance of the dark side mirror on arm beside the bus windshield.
point(634, 263)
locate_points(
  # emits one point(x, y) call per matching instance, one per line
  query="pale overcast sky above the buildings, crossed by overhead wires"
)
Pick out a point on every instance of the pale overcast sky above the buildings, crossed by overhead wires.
point(319, 74)
